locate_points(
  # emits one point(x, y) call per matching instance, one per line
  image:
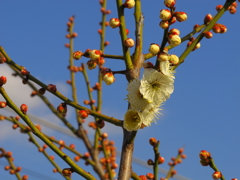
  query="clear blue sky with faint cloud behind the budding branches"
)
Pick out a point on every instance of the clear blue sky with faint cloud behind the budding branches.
point(202, 113)
